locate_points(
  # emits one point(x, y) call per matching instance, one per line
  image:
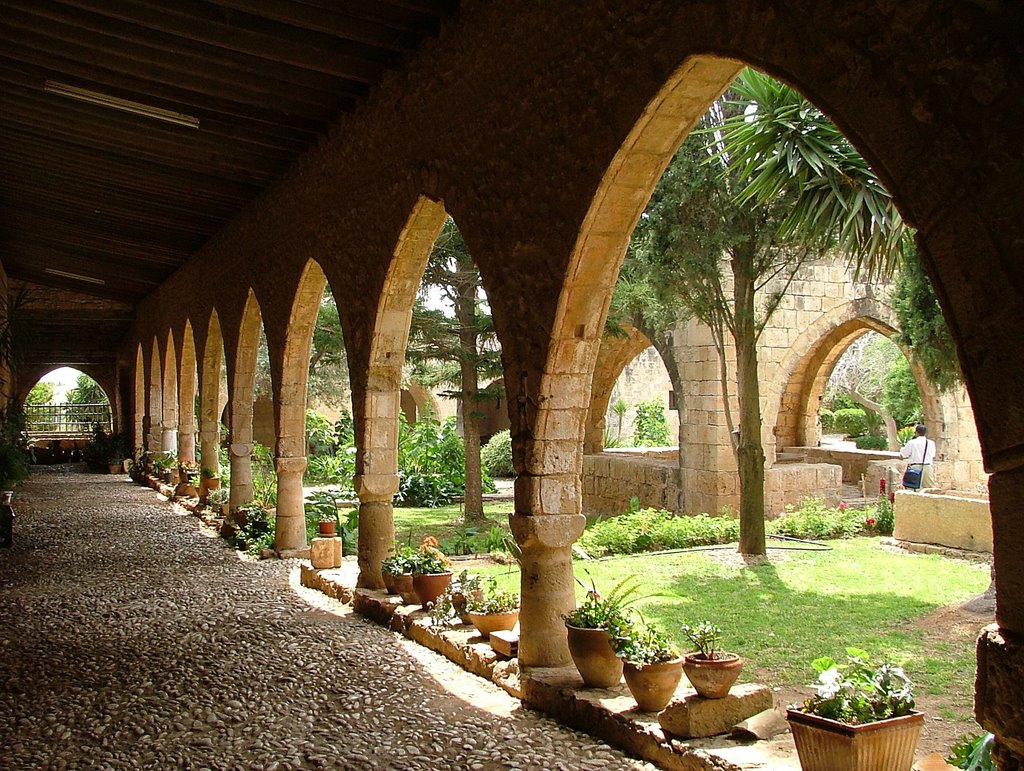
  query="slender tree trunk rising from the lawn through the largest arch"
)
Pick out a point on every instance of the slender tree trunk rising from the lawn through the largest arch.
point(750, 452)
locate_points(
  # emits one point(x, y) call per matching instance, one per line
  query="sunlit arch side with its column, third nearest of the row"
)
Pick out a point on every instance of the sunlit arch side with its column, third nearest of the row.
point(290, 409)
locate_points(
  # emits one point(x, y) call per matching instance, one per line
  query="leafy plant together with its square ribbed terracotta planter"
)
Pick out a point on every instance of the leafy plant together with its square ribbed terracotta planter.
point(862, 717)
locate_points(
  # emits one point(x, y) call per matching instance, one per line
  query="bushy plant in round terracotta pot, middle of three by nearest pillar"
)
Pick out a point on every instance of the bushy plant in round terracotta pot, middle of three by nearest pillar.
point(652, 666)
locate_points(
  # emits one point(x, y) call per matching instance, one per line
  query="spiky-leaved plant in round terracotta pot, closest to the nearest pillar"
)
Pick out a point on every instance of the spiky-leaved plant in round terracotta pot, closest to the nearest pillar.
point(591, 628)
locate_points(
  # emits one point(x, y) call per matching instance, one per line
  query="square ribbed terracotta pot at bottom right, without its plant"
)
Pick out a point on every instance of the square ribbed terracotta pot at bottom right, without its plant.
point(826, 745)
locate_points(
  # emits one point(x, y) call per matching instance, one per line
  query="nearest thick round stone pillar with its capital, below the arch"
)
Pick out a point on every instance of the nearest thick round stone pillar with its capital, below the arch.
point(548, 584)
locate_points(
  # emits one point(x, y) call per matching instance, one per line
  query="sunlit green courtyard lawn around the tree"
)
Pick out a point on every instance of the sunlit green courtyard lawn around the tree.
point(801, 606)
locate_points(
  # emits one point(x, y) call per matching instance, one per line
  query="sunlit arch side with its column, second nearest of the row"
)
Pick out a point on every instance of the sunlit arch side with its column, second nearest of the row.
point(377, 438)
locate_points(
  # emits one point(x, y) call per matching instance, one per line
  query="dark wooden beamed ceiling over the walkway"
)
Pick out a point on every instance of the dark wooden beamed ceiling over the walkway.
point(110, 203)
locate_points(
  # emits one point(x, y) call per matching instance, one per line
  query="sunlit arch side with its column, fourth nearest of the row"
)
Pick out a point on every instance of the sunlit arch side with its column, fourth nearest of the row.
point(242, 377)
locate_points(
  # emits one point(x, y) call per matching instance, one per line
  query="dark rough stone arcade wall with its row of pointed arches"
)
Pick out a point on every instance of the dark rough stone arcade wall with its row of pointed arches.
point(542, 130)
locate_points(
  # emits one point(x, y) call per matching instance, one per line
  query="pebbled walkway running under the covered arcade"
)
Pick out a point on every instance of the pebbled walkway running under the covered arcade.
point(132, 638)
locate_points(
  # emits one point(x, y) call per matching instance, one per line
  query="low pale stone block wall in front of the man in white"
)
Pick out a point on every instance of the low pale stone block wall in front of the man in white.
point(958, 521)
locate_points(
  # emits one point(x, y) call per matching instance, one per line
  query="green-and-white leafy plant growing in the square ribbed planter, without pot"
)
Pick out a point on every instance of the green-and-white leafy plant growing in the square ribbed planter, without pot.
point(859, 693)
